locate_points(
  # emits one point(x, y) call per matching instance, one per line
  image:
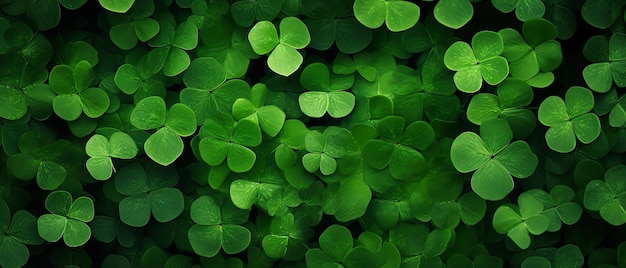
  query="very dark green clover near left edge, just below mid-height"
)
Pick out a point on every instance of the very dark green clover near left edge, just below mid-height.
point(40, 157)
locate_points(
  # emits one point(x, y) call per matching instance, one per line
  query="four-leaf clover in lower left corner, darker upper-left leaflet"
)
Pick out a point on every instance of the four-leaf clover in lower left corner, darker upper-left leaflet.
point(68, 219)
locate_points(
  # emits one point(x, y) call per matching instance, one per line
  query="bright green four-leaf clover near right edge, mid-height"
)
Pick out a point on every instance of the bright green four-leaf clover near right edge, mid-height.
point(569, 120)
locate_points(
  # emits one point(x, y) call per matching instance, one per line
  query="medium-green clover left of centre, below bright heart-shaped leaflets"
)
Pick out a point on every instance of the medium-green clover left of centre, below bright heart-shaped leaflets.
point(224, 139)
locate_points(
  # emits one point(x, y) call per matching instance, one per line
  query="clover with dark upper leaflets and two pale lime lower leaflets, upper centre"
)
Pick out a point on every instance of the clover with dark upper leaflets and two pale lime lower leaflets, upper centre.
point(327, 92)
